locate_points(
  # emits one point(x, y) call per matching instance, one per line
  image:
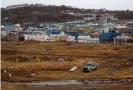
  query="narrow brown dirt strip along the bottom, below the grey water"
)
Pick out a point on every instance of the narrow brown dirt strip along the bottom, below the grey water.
point(69, 87)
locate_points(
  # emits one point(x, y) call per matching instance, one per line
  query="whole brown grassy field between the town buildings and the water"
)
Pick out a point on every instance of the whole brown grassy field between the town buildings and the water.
point(24, 58)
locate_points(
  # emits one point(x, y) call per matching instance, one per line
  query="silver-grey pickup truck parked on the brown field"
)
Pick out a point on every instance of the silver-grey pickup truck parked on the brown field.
point(90, 66)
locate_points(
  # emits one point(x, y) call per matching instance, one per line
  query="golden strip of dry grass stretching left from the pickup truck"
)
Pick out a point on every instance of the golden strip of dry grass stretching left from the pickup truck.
point(47, 65)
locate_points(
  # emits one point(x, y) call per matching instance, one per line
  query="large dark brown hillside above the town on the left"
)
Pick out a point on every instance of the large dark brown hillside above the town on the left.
point(38, 14)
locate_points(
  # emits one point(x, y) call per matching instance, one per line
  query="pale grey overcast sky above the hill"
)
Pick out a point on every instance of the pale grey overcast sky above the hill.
point(96, 4)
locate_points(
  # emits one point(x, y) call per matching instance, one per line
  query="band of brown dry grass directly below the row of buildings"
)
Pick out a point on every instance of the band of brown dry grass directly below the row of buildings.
point(40, 49)
